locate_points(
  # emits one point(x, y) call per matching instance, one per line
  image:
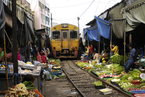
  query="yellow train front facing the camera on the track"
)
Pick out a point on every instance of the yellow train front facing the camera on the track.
point(65, 41)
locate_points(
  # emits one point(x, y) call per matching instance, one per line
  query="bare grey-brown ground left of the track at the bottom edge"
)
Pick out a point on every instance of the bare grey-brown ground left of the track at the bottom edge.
point(59, 87)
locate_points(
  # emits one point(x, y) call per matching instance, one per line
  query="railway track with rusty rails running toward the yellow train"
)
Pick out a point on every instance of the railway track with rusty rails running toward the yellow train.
point(83, 82)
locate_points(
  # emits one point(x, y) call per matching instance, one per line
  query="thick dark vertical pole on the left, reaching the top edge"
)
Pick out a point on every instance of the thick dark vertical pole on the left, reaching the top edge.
point(14, 50)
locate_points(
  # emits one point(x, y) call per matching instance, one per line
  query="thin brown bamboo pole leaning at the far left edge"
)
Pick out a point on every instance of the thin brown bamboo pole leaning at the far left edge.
point(6, 68)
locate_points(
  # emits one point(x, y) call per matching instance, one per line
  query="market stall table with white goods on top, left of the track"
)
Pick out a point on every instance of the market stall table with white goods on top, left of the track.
point(23, 69)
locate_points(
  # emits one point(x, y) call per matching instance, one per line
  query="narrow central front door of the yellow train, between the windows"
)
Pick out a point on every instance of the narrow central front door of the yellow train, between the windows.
point(65, 39)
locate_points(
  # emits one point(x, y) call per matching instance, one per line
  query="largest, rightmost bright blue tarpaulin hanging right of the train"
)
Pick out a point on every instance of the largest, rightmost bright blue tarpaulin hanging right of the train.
point(104, 27)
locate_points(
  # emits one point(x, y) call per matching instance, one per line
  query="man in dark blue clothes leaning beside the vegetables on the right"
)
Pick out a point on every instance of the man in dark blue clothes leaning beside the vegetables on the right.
point(132, 58)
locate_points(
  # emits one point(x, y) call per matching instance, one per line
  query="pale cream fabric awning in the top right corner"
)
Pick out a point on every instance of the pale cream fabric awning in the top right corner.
point(134, 14)
